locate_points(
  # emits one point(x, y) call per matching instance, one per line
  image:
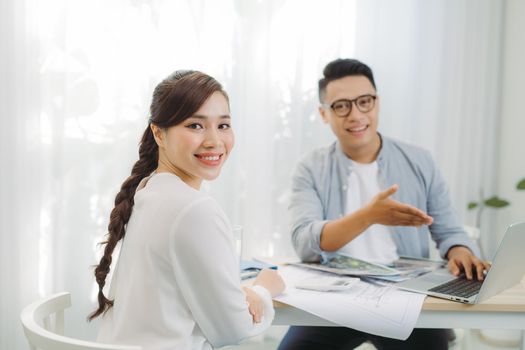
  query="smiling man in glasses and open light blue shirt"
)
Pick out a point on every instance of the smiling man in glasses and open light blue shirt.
point(367, 195)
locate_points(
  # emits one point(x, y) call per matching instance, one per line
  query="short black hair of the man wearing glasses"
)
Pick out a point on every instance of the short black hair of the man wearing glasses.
point(341, 68)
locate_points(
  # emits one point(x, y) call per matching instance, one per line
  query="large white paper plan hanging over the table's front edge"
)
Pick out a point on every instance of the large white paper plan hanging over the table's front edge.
point(367, 307)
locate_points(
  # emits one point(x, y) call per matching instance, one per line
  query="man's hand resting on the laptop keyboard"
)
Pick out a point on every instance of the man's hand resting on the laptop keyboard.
point(461, 259)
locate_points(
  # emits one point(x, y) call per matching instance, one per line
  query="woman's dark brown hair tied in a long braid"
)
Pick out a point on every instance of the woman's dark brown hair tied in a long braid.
point(175, 99)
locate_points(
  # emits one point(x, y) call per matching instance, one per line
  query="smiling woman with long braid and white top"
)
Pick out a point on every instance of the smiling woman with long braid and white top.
point(176, 284)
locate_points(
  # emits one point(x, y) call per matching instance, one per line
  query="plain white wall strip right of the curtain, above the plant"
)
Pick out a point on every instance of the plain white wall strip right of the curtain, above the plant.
point(512, 132)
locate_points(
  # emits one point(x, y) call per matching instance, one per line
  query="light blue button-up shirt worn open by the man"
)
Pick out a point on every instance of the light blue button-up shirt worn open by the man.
point(319, 193)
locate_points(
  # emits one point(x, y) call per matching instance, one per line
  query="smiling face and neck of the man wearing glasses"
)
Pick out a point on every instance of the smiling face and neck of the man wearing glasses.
point(357, 132)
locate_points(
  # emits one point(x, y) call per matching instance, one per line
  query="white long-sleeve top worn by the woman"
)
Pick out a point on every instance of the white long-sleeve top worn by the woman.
point(176, 284)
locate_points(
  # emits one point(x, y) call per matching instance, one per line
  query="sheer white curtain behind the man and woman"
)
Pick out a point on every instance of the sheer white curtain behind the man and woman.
point(77, 78)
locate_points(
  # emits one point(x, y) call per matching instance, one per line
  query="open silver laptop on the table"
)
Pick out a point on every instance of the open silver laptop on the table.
point(508, 268)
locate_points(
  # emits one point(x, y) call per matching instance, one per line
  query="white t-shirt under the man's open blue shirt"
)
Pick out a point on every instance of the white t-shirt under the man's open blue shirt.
point(374, 244)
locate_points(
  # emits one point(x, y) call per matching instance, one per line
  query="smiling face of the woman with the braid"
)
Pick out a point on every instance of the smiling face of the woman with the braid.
point(197, 148)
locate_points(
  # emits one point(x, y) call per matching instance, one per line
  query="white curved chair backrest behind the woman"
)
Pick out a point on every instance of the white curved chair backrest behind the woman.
point(43, 323)
